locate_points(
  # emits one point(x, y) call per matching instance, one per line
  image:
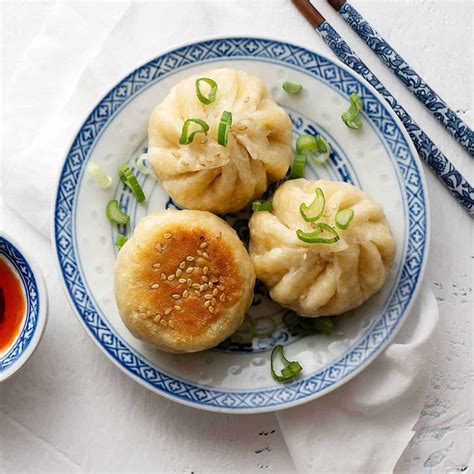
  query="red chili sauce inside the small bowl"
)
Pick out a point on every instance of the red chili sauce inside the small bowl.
point(12, 305)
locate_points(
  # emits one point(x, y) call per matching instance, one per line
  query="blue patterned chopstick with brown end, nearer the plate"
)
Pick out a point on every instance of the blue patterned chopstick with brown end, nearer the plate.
point(427, 150)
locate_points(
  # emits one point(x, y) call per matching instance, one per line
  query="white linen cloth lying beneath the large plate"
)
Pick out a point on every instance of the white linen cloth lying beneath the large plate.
point(83, 49)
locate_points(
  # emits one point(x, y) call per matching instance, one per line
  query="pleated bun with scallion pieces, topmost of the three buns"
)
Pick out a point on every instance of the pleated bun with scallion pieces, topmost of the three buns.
point(205, 175)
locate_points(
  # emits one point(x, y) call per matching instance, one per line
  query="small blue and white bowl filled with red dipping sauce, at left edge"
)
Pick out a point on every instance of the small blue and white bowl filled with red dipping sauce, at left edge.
point(23, 307)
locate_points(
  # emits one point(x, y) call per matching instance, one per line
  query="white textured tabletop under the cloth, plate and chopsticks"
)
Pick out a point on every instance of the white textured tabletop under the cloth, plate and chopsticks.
point(65, 421)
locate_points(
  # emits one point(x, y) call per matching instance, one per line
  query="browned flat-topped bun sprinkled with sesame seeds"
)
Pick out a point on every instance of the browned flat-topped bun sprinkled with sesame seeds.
point(184, 281)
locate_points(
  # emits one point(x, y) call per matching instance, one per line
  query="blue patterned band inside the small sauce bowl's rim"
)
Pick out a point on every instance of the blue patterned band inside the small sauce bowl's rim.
point(16, 259)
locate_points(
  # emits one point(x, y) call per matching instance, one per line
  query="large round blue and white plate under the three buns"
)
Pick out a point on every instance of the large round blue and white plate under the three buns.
point(235, 378)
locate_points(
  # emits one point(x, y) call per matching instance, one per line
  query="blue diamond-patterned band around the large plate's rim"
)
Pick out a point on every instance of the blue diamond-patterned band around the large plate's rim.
point(381, 119)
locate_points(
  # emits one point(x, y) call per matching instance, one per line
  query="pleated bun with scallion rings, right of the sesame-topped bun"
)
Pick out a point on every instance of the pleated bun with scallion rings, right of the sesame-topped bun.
point(316, 279)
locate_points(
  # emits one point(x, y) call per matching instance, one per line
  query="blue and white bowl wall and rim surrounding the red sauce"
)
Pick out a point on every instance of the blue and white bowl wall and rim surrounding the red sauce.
point(34, 319)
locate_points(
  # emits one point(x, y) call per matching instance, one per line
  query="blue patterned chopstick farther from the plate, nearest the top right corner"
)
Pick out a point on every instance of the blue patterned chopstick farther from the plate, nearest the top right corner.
point(414, 82)
